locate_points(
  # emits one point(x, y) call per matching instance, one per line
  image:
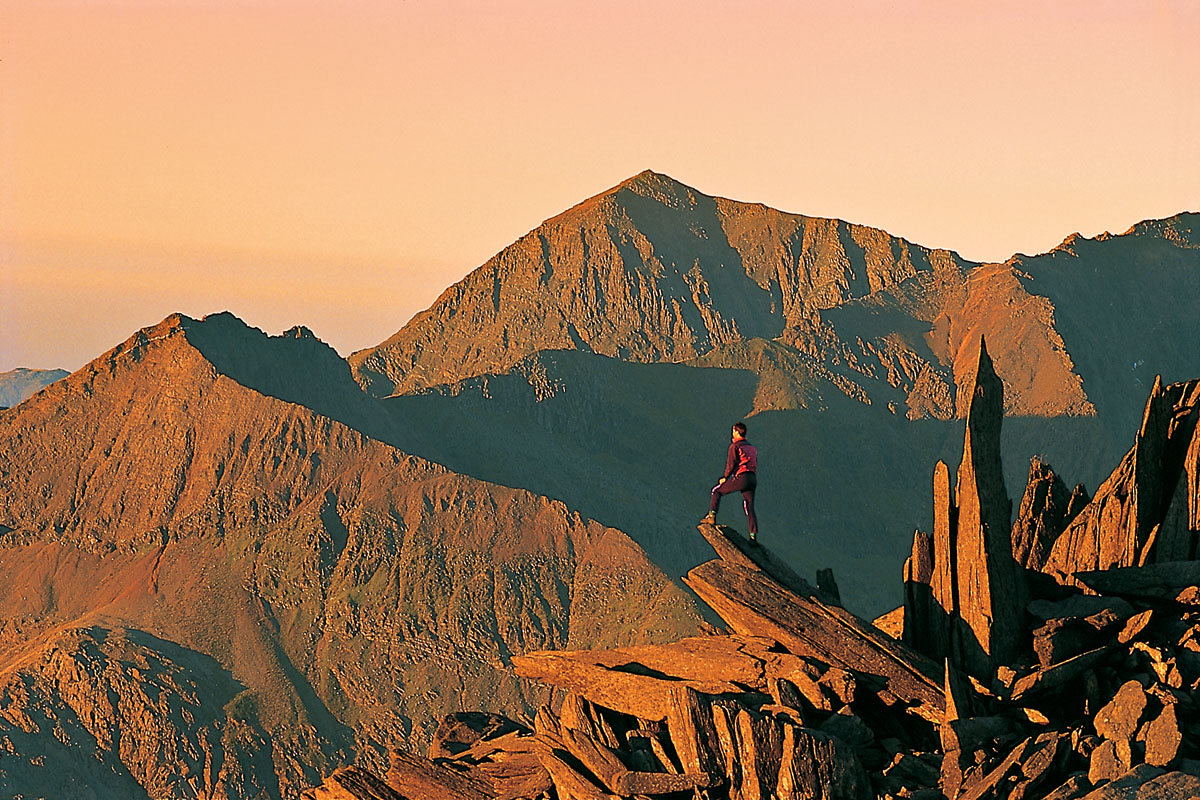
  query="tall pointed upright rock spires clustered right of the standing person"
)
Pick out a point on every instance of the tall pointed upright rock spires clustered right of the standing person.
point(963, 586)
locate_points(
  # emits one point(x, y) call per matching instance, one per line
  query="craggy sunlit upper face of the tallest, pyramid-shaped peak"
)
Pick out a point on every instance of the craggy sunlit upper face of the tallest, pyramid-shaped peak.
point(651, 270)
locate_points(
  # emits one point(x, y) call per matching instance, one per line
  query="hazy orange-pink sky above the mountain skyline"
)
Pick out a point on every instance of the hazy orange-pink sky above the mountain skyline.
point(338, 165)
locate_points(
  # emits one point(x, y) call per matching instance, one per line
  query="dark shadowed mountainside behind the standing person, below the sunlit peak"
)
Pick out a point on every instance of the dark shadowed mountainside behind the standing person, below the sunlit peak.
point(639, 447)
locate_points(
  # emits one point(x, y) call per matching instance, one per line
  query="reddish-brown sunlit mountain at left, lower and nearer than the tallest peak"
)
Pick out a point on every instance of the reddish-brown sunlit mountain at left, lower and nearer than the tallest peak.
point(205, 521)
